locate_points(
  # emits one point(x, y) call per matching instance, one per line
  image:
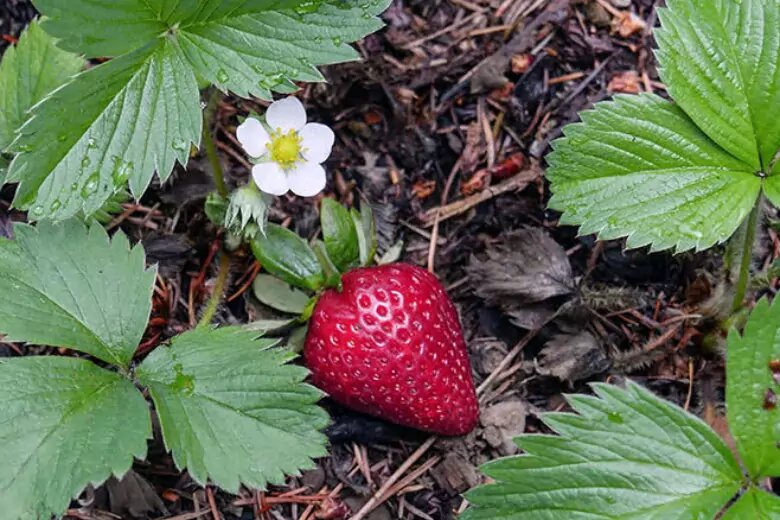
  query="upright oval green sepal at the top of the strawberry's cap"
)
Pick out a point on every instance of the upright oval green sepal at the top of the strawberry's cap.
point(339, 234)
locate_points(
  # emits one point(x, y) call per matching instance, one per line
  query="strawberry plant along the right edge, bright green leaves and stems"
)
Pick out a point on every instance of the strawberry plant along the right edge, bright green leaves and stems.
point(686, 173)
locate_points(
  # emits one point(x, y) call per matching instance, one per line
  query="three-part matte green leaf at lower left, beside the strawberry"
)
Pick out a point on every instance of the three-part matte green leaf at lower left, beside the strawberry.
point(231, 408)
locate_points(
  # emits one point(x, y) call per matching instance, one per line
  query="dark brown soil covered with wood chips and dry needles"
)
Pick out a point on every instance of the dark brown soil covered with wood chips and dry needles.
point(451, 113)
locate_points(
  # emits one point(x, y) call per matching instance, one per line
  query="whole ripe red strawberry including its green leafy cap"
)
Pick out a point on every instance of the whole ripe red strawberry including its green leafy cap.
point(384, 340)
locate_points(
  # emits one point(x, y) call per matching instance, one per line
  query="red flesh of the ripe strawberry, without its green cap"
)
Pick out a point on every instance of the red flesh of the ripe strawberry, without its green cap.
point(390, 344)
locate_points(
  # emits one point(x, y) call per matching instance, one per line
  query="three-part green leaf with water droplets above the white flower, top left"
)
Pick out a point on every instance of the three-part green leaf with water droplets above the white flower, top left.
point(140, 113)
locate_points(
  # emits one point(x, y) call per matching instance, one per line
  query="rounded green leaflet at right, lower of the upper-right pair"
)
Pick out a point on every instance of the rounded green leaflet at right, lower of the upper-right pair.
point(639, 167)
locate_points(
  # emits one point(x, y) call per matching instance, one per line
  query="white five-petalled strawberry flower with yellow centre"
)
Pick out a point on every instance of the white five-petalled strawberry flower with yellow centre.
point(290, 151)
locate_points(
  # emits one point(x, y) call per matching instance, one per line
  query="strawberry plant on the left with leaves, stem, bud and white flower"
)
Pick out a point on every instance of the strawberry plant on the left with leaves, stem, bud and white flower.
point(95, 99)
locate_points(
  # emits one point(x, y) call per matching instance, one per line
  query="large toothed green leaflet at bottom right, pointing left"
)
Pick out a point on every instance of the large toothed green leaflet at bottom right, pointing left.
point(625, 454)
